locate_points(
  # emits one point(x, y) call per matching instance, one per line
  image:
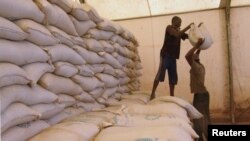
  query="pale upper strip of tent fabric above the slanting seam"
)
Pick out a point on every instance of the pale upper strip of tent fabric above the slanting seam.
point(118, 9)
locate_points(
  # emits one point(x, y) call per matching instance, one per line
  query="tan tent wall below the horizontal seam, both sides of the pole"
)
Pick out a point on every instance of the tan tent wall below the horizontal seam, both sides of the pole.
point(150, 34)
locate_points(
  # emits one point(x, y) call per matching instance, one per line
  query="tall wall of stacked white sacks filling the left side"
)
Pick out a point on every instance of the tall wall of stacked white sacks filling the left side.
point(59, 58)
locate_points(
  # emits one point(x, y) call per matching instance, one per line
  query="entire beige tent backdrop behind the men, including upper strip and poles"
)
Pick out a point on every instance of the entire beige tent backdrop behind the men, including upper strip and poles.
point(227, 76)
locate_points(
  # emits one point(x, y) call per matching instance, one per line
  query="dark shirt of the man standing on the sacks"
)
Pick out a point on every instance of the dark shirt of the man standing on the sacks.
point(172, 42)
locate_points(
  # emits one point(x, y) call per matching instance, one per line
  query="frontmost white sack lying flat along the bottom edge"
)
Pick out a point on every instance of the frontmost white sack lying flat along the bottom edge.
point(161, 133)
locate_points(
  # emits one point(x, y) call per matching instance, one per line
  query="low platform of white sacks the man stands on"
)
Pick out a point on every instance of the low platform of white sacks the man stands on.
point(165, 118)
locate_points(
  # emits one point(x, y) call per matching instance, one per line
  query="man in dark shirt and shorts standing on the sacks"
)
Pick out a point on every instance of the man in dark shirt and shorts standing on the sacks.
point(170, 51)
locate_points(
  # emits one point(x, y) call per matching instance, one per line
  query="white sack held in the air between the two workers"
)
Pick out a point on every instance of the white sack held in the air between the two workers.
point(197, 32)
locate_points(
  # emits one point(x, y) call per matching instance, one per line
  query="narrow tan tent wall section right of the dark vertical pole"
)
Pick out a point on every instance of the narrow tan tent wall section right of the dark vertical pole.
point(240, 54)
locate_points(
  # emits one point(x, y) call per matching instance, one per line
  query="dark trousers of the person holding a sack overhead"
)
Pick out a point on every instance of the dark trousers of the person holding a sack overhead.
point(201, 103)
